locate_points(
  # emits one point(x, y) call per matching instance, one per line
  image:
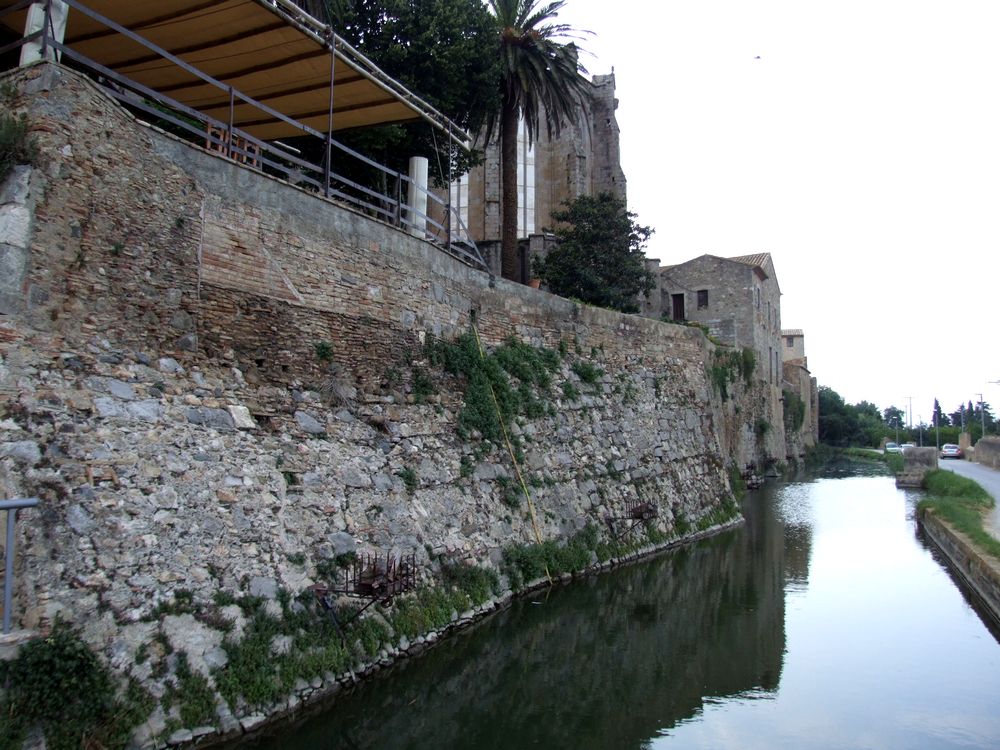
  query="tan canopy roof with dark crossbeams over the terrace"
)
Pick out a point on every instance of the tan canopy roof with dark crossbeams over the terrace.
point(269, 50)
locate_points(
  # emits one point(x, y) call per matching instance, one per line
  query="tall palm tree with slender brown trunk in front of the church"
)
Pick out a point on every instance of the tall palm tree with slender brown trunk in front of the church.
point(540, 77)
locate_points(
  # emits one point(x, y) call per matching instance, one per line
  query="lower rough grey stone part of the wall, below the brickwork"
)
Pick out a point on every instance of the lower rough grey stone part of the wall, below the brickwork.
point(167, 482)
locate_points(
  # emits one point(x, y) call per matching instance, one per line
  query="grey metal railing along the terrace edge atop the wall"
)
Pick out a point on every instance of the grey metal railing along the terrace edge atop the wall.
point(273, 158)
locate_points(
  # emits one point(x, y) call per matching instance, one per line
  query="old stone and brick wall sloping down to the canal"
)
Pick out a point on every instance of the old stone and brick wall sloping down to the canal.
point(218, 385)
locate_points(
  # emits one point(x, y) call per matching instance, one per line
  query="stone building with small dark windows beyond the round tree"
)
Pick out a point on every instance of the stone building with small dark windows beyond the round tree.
point(737, 299)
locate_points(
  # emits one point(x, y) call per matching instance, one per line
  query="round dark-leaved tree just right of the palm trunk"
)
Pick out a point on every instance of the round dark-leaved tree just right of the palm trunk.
point(599, 258)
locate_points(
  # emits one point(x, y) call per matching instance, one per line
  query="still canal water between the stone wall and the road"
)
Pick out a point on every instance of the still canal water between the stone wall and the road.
point(824, 622)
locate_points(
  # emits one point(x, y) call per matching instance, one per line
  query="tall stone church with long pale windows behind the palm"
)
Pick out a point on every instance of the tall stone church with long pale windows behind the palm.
point(584, 158)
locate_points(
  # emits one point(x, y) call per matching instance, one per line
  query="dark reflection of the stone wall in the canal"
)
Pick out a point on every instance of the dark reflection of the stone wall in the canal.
point(608, 662)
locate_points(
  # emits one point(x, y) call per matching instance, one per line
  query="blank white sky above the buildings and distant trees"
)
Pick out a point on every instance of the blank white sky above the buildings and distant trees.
point(862, 150)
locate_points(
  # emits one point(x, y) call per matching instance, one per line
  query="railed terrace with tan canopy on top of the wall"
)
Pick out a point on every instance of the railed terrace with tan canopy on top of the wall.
point(246, 79)
